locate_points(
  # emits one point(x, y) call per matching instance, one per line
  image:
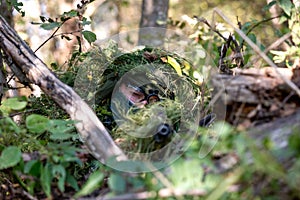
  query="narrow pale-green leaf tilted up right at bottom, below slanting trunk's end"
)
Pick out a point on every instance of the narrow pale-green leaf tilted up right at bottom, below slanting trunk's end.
point(92, 183)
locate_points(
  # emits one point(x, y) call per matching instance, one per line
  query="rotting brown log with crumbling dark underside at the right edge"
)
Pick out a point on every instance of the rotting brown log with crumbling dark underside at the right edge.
point(255, 96)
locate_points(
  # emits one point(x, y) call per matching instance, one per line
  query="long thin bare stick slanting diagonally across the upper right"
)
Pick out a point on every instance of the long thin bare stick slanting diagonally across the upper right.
point(260, 53)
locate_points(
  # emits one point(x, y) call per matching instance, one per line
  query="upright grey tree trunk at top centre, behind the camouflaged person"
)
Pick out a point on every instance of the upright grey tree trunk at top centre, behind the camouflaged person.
point(154, 14)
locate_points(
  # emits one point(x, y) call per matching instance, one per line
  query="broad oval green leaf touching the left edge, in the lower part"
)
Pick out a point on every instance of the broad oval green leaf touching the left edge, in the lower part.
point(10, 157)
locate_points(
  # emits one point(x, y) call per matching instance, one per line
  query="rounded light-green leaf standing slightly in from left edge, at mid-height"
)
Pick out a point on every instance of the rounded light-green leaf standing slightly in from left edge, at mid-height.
point(37, 123)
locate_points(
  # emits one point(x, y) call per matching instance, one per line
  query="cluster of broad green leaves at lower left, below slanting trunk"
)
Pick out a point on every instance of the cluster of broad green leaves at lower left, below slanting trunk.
point(54, 143)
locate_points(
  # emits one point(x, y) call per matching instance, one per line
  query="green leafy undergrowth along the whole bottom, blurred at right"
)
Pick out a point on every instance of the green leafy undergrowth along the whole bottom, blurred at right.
point(45, 157)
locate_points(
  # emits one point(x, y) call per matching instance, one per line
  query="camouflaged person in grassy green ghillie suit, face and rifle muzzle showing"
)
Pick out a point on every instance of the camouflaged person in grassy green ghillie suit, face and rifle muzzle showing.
point(145, 98)
